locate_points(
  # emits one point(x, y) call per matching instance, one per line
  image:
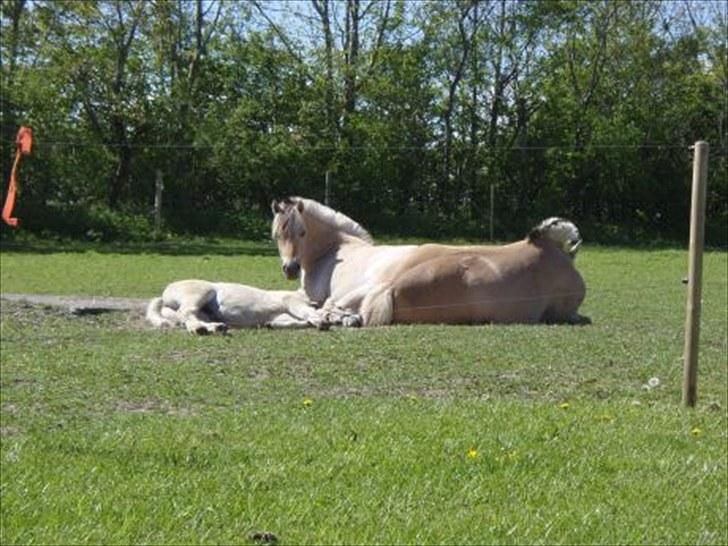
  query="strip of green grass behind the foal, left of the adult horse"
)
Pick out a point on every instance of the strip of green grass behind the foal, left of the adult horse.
point(136, 270)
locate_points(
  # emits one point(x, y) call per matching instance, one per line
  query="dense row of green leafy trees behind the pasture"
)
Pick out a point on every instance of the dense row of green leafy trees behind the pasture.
point(578, 108)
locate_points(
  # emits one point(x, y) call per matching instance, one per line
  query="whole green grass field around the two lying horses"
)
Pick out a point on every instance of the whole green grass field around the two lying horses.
point(115, 433)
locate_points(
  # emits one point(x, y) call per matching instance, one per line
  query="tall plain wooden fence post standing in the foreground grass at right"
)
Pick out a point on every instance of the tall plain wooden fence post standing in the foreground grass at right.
point(695, 274)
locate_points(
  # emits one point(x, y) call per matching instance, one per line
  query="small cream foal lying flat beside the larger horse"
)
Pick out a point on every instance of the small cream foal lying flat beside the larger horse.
point(205, 307)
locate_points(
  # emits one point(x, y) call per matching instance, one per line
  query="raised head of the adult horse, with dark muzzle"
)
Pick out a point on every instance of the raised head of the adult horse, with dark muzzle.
point(289, 233)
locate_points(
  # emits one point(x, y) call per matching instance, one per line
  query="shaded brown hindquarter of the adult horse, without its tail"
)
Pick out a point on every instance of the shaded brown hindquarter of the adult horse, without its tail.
point(513, 283)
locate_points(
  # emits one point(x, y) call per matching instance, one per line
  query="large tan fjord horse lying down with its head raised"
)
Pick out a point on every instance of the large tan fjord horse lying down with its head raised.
point(529, 281)
